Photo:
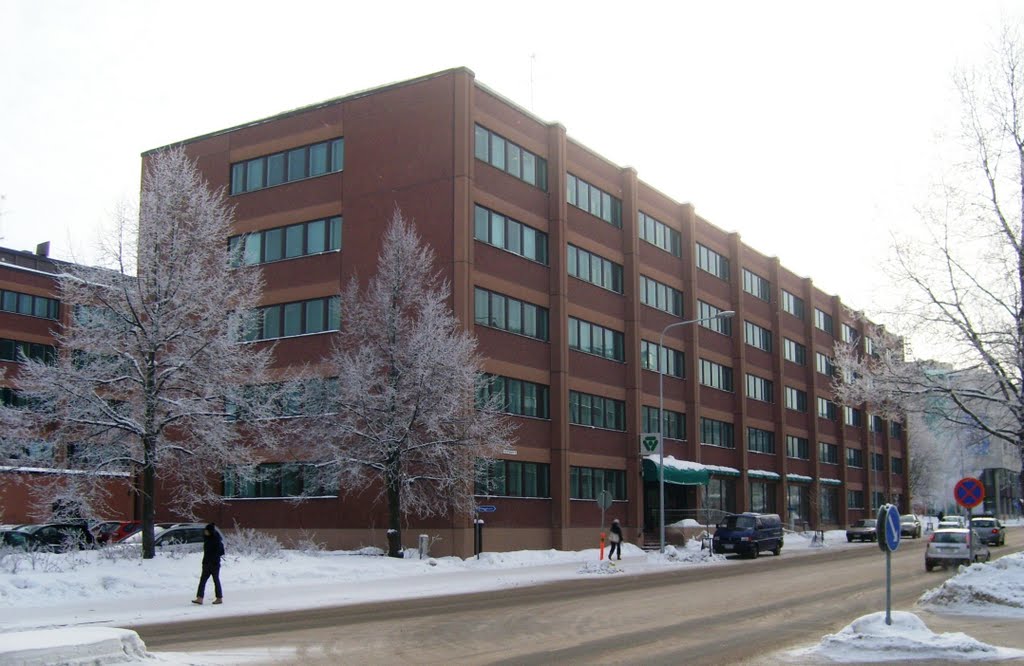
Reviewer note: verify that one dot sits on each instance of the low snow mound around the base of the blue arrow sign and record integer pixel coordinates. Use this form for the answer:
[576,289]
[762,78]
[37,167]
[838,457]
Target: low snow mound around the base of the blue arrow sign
[869,639]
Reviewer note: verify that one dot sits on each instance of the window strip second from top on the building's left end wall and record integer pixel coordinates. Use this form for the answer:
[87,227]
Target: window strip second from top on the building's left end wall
[286,242]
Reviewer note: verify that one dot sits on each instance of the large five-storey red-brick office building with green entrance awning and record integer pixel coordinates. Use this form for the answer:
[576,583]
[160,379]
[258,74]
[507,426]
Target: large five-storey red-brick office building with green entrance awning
[568,269]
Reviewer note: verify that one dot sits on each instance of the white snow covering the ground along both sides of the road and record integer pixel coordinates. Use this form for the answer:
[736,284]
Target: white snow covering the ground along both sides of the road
[62,605]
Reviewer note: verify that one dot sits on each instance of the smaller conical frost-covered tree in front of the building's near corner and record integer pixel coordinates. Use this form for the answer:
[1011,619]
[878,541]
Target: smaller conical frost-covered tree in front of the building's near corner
[403,422]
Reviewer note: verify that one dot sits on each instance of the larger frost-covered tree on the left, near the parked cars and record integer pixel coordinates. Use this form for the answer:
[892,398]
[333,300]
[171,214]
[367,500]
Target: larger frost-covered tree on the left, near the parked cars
[150,372]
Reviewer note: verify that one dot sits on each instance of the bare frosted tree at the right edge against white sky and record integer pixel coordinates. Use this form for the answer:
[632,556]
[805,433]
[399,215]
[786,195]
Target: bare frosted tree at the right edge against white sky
[965,278]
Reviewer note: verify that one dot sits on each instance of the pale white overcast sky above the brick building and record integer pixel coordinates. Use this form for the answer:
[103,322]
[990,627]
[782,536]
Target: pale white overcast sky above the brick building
[773,118]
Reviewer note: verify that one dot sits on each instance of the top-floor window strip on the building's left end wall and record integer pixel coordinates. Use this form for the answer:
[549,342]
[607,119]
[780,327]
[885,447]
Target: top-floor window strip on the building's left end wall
[305,162]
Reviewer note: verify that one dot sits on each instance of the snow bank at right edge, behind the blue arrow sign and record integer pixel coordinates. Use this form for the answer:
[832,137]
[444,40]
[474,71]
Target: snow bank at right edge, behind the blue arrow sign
[996,589]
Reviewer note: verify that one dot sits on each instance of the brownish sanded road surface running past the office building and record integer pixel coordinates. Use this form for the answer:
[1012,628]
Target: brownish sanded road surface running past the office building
[735,614]
